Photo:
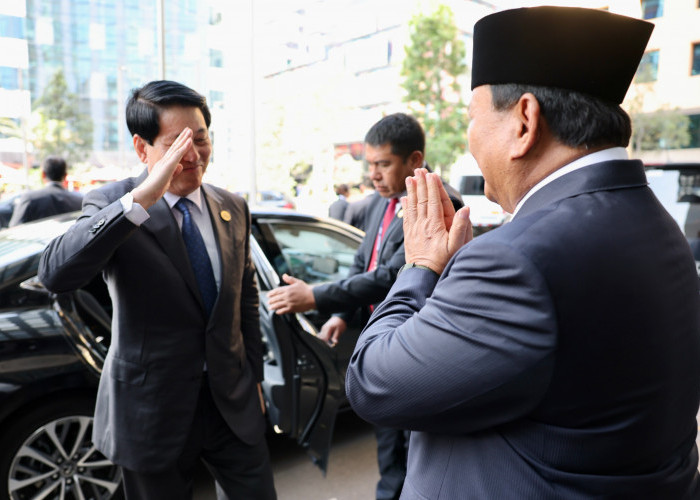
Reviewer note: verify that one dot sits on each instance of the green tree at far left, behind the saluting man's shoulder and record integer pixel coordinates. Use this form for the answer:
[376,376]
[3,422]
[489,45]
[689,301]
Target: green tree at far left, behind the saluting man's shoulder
[59,125]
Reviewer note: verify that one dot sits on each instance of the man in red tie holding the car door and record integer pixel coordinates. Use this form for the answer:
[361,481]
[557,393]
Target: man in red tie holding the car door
[394,148]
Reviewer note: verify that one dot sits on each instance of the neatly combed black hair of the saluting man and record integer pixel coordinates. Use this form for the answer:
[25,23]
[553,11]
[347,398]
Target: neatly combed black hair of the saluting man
[146,103]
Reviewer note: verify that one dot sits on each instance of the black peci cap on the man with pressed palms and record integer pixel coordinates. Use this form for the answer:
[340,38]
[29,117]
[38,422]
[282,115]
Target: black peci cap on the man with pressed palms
[590,51]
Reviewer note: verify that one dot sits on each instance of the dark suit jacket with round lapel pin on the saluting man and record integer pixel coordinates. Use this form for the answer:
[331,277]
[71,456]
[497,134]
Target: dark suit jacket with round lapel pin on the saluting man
[161,335]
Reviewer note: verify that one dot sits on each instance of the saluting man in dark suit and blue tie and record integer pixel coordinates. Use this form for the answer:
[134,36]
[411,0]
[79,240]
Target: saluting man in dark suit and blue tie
[182,377]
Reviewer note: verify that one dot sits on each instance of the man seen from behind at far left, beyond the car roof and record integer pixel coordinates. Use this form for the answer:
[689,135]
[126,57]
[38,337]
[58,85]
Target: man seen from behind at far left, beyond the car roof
[50,200]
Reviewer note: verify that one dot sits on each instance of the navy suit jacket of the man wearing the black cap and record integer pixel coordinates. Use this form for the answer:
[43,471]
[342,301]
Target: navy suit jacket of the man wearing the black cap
[557,357]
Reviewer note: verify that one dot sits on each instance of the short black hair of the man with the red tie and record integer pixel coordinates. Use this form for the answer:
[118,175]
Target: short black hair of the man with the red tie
[402,131]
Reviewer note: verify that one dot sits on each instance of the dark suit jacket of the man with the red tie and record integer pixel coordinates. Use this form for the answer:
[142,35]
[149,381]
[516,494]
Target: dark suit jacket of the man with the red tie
[361,288]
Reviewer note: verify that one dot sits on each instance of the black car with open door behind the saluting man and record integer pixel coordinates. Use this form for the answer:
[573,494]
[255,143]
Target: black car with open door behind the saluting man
[52,348]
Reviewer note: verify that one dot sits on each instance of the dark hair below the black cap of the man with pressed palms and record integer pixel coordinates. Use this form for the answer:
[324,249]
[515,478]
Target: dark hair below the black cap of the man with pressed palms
[575,119]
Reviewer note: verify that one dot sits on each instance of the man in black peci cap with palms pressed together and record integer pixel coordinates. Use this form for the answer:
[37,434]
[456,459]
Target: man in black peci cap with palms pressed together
[555,357]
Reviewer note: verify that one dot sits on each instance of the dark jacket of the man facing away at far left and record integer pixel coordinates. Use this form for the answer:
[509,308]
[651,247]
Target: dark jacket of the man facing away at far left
[49,200]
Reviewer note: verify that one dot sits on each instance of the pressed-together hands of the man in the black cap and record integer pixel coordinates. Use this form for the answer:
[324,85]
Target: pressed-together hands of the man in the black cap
[433,231]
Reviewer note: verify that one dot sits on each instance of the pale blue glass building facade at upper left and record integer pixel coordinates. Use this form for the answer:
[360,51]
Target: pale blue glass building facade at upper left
[105,48]
